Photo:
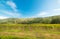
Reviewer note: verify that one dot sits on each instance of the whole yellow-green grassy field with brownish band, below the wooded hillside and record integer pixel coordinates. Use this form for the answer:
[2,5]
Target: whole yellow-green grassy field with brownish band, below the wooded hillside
[29,31]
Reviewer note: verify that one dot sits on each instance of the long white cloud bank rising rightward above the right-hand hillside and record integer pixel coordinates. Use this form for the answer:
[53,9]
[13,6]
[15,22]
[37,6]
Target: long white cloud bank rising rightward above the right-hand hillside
[52,12]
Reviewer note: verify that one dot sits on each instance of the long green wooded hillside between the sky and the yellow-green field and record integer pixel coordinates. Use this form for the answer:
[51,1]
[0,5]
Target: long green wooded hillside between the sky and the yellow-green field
[42,20]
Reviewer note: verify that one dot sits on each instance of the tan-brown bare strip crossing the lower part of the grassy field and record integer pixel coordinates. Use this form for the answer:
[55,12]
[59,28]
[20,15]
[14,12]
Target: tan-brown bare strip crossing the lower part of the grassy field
[22,34]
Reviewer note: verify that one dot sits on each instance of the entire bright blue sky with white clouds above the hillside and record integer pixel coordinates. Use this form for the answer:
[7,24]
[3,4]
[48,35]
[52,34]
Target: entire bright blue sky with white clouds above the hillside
[29,8]
